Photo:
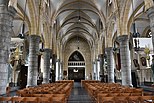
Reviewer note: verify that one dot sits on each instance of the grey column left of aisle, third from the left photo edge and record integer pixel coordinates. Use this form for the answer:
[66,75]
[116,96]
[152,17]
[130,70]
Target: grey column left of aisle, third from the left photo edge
[46,70]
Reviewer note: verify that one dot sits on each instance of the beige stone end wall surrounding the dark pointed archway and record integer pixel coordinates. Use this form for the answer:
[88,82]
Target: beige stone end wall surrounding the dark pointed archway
[72,46]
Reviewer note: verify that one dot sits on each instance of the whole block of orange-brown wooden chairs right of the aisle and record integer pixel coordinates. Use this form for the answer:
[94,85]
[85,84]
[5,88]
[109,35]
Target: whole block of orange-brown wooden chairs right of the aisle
[103,91]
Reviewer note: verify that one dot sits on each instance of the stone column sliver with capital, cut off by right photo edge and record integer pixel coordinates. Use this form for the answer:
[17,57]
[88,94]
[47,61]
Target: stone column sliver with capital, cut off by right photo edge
[150,13]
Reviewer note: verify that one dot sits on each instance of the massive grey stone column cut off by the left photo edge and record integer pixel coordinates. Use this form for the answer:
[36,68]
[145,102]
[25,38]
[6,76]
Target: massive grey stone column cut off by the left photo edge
[6,19]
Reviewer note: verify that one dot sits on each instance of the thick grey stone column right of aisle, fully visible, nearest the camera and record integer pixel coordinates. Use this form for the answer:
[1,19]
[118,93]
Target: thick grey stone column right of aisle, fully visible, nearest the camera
[125,60]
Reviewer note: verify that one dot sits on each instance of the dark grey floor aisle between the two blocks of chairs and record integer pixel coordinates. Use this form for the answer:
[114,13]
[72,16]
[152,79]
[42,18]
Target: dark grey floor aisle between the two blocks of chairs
[79,95]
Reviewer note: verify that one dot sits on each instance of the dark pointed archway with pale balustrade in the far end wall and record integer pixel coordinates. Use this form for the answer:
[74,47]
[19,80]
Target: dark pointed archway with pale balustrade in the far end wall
[76,67]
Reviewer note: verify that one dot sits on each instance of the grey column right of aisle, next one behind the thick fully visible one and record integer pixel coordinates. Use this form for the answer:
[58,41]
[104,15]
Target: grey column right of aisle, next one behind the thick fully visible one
[110,64]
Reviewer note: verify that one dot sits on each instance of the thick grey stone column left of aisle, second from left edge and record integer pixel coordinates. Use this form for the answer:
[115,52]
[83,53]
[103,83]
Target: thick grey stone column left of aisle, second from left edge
[33,60]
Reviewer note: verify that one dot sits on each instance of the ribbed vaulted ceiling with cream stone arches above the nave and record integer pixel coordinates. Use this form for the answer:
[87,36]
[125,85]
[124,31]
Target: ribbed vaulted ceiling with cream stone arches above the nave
[66,19]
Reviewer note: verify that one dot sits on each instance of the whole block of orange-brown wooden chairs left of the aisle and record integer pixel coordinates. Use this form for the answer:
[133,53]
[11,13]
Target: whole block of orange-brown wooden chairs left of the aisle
[45,93]
